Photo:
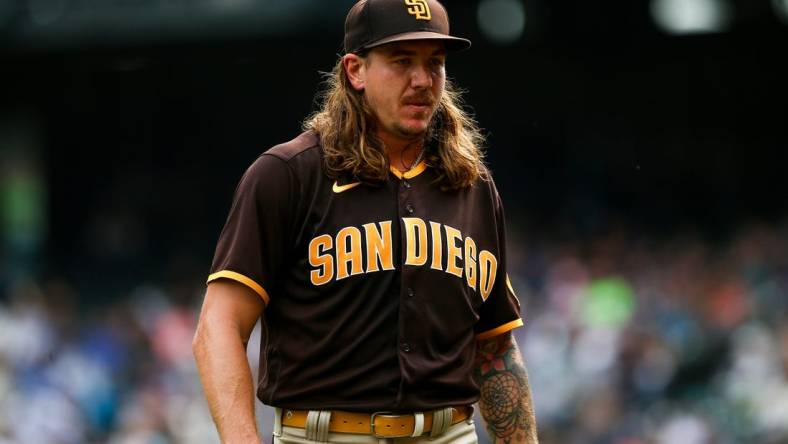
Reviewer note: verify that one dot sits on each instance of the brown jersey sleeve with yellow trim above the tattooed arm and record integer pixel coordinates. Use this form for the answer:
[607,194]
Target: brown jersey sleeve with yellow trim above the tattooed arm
[500,312]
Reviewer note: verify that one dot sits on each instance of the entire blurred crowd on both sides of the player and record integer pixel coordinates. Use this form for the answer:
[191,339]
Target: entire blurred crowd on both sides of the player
[628,339]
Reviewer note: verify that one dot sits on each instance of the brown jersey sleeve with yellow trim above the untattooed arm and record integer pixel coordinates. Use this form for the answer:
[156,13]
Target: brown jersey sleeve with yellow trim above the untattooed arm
[252,244]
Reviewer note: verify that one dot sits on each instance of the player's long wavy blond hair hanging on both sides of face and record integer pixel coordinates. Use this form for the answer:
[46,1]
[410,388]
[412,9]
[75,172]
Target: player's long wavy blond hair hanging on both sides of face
[346,128]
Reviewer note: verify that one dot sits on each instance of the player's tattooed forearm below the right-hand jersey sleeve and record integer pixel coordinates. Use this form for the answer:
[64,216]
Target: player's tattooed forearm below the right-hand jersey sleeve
[505,402]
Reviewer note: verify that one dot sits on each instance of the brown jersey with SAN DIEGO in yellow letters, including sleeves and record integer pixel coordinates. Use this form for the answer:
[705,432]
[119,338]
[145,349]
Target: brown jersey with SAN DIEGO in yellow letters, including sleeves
[375,295]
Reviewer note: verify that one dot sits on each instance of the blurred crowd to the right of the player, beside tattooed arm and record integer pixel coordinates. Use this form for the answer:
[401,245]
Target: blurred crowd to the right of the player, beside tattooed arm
[679,340]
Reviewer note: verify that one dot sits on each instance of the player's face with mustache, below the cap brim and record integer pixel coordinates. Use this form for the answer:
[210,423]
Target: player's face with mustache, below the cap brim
[403,83]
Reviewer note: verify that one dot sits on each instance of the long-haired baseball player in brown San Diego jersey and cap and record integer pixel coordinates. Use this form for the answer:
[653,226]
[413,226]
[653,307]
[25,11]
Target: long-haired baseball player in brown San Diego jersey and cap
[373,246]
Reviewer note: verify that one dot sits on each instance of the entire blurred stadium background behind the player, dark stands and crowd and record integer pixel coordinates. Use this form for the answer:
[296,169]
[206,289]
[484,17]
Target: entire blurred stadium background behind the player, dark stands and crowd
[637,146]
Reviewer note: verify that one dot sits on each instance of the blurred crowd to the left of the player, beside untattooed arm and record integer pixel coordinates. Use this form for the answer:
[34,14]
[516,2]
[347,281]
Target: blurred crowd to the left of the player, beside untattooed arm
[118,373]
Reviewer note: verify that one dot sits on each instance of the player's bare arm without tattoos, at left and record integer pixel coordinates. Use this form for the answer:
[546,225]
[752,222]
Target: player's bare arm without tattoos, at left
[229,313]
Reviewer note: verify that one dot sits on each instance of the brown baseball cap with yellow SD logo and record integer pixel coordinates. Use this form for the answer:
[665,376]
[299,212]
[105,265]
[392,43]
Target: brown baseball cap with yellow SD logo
[372,23]
